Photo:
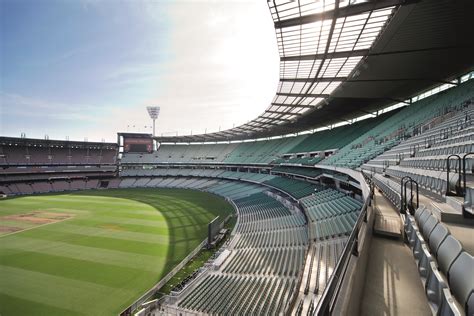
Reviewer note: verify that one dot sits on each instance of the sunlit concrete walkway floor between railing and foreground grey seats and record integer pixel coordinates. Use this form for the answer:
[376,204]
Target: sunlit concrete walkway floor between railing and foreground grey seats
[392,285]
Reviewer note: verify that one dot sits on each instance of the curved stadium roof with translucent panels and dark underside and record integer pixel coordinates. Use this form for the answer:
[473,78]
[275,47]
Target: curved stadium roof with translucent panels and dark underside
[342,59]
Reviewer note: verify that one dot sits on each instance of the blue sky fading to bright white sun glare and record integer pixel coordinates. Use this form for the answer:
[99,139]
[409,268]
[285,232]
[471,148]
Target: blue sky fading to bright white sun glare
[88,68]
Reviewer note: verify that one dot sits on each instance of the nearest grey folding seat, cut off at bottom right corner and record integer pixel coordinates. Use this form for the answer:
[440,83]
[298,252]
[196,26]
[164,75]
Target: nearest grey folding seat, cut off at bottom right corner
[461,281]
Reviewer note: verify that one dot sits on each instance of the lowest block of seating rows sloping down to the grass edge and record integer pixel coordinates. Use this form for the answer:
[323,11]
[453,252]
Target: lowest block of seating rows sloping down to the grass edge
[267,254]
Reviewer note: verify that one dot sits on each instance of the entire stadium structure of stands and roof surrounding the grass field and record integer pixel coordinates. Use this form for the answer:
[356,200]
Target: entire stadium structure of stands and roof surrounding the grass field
[314,209]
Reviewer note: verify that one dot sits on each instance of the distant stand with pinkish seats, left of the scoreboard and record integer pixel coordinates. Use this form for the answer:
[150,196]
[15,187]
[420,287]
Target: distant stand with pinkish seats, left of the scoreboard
[41,166]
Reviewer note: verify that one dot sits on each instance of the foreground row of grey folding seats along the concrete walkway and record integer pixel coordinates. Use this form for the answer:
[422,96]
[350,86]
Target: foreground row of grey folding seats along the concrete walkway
[445,268]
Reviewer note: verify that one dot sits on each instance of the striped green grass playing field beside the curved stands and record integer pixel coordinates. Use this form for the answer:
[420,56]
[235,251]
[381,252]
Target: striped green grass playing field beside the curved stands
[117,245]
